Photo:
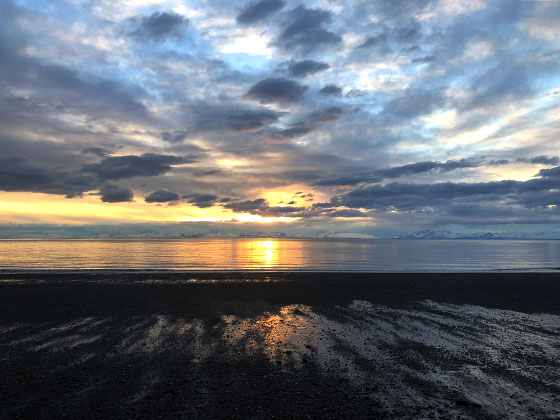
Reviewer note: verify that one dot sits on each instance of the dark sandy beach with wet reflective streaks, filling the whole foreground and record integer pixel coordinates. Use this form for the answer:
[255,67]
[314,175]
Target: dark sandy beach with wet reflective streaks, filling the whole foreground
[286,346]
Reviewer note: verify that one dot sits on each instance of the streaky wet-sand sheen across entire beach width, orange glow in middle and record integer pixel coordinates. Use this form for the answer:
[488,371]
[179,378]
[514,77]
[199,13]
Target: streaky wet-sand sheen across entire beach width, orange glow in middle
[430,360]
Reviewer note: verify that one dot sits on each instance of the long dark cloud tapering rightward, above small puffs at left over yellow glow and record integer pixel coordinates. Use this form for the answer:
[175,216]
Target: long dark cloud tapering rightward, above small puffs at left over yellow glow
[119,167]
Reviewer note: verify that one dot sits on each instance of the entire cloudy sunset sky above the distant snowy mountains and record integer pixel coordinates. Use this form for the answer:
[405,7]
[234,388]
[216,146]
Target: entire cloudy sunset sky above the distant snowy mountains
[367,116]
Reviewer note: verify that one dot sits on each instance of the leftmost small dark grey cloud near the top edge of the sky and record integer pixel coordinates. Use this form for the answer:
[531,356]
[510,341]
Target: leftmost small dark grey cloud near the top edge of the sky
[160,25]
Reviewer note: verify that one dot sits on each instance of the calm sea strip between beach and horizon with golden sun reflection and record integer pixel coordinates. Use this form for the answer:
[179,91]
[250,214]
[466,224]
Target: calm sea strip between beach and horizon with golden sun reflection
[280,254]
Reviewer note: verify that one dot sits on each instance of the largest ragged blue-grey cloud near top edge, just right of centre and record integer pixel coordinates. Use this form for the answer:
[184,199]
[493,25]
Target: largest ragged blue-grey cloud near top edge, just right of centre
[304,30]
